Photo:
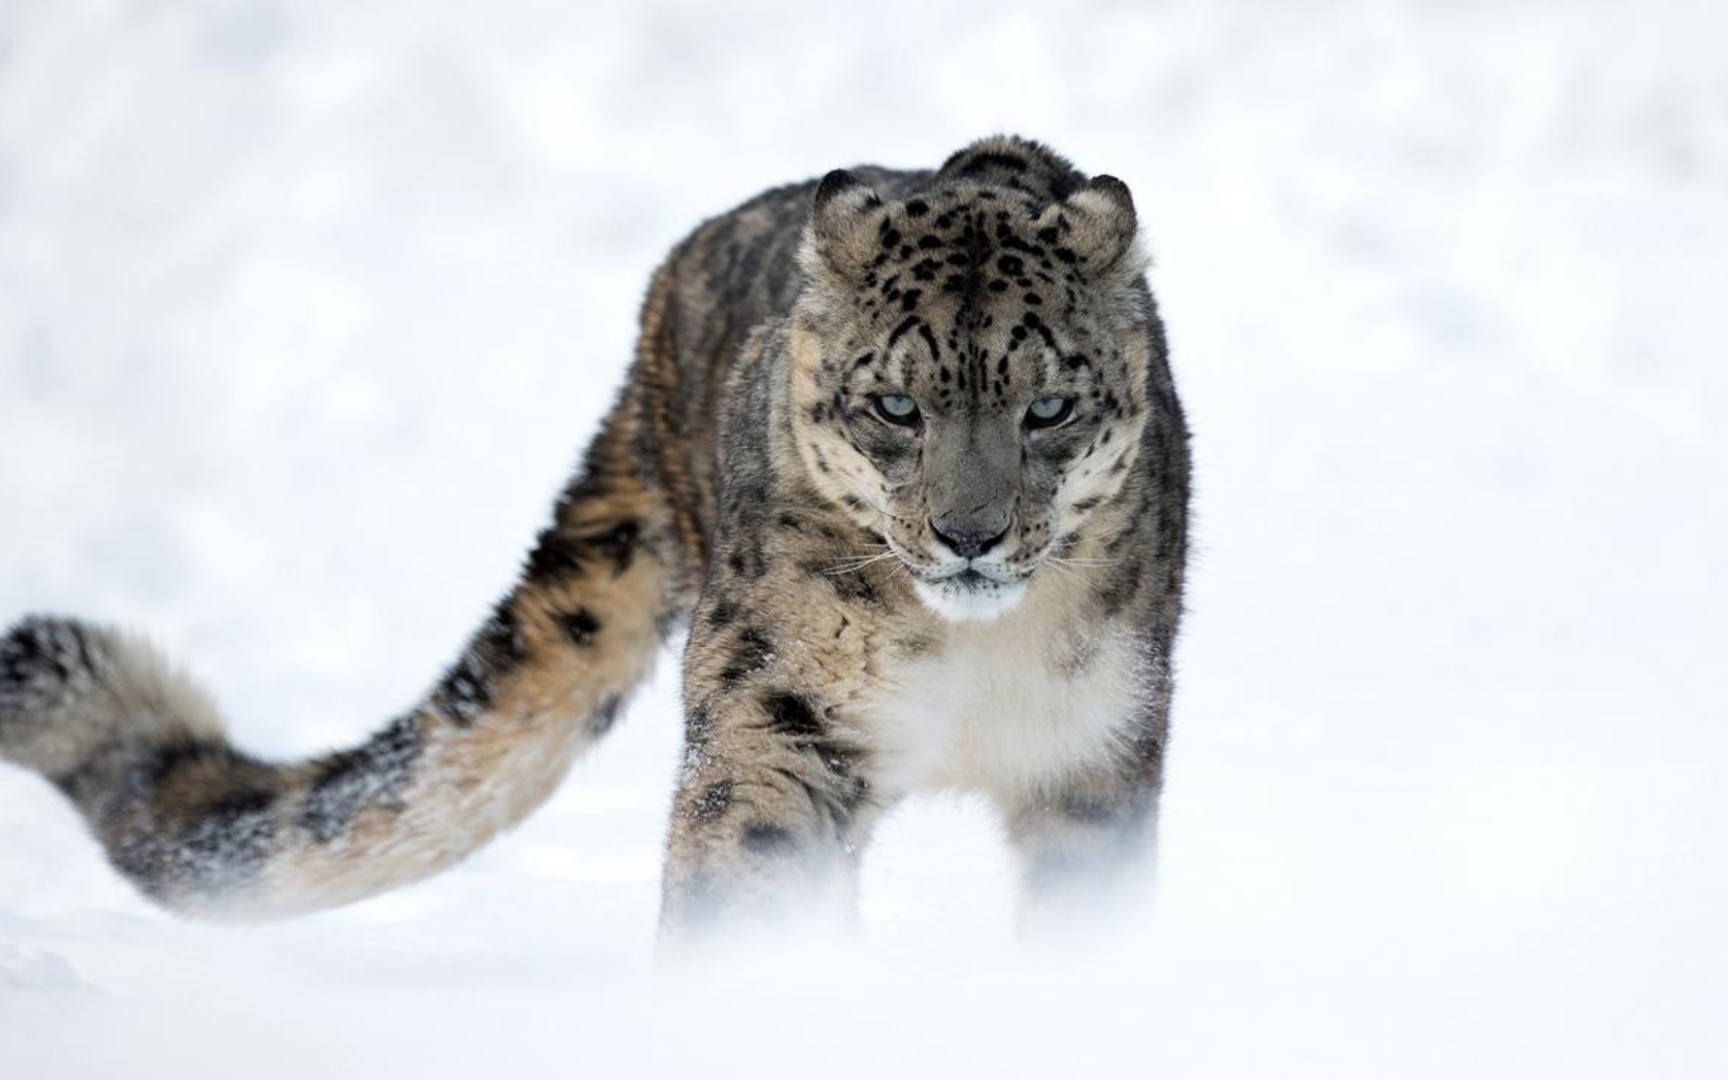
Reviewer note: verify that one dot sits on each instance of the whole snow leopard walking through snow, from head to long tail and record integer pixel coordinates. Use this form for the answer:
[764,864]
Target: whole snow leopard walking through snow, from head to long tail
[903,462]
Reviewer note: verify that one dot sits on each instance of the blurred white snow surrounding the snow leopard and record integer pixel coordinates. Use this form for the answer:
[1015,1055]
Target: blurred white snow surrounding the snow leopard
[308,307]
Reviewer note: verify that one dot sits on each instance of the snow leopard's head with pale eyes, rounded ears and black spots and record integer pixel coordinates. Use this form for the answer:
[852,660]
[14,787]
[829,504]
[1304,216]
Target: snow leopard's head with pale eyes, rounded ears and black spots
[970,376]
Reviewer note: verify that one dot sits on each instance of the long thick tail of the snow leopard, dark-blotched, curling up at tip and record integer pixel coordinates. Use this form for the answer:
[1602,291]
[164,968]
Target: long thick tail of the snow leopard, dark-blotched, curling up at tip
[212,832]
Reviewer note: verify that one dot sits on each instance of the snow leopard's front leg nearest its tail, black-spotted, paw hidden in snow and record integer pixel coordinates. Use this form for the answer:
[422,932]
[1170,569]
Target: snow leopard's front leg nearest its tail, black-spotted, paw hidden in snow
[773,801]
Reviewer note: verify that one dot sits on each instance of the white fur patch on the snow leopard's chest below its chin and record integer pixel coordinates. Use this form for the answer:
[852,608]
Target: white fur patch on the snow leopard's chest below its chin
[1007,708]
